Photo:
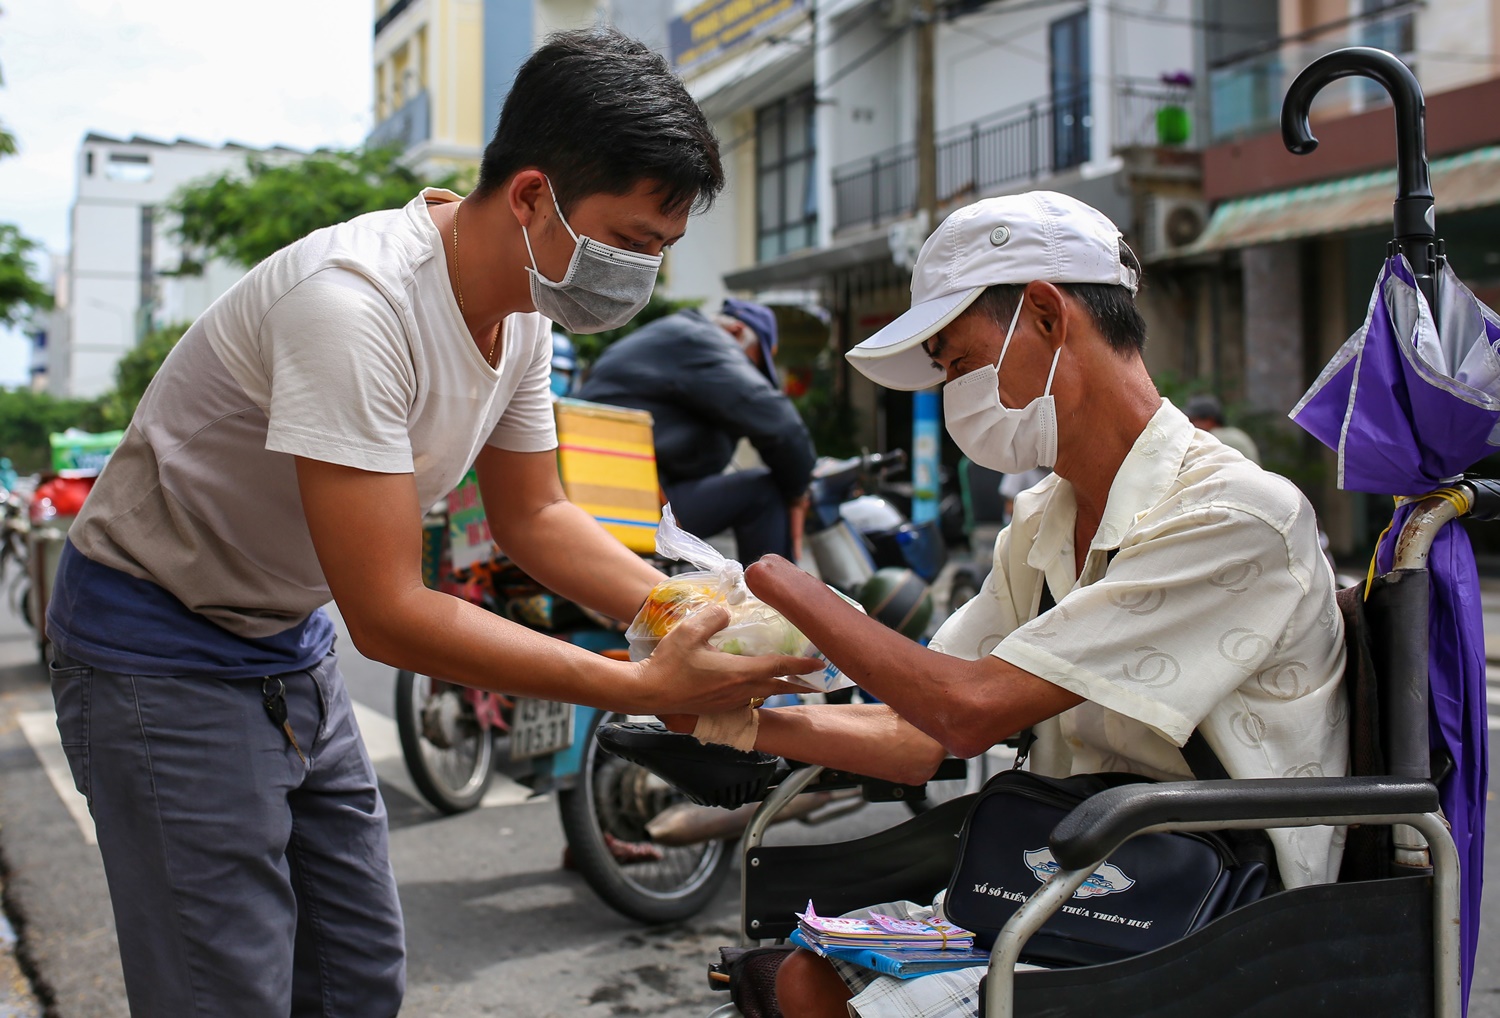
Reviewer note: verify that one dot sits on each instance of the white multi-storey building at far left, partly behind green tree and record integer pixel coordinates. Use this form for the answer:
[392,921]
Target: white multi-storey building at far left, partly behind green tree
[118,281]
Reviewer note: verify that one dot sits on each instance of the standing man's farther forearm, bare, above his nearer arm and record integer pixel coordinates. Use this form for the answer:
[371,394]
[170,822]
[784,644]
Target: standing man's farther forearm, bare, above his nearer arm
[566,551]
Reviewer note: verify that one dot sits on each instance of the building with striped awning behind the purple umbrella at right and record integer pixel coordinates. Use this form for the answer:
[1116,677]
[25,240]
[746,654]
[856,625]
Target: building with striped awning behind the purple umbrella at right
[1283,274]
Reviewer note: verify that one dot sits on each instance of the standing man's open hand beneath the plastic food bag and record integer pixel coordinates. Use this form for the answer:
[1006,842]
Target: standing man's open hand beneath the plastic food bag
[685,675]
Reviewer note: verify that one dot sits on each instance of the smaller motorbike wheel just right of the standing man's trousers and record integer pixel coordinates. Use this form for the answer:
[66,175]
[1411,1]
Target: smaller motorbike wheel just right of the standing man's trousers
[449,753]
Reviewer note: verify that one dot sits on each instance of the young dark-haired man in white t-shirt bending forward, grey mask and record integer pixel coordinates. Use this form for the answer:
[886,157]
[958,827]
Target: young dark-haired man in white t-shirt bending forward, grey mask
[281,460]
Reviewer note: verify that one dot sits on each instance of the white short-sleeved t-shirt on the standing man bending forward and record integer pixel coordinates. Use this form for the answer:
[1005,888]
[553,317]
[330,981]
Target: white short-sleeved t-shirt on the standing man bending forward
[349,349]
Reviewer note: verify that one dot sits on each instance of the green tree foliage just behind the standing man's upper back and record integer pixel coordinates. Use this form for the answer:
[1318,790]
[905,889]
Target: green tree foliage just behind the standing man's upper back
[245,217]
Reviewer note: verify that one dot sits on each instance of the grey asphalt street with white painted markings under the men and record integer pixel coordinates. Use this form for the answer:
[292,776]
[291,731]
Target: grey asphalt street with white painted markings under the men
[496,926]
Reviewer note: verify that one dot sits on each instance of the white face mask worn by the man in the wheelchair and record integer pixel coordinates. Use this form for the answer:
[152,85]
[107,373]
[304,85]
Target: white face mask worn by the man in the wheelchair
[994,436]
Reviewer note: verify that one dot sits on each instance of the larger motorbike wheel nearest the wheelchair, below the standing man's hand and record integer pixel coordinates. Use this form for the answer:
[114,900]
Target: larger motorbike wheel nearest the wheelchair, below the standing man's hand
[605,819]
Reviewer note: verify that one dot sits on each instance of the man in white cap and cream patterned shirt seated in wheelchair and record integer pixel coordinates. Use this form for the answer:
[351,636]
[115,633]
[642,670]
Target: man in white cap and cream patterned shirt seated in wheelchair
[1157,585]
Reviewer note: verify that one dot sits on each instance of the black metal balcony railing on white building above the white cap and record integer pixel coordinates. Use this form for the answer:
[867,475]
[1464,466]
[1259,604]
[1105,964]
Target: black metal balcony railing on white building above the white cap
[1024,143]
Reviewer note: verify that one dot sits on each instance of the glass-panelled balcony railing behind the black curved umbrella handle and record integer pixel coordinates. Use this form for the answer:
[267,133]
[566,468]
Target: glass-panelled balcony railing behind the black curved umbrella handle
[1246,94]
